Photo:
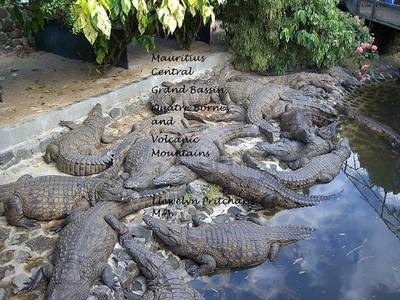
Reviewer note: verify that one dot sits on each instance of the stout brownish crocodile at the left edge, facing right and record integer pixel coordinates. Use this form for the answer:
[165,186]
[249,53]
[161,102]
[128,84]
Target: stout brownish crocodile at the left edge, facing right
[51,197]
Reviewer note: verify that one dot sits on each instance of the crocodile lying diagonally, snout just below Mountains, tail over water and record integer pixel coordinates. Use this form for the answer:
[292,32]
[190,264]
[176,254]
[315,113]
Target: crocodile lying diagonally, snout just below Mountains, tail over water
[253,185]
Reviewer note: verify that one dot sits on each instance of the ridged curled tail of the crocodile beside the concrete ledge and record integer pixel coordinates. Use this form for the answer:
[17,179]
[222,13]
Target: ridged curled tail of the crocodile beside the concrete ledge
[84,165]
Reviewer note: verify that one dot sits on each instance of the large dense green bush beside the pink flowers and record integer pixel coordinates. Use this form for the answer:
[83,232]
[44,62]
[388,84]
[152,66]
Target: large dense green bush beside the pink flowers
[284,35]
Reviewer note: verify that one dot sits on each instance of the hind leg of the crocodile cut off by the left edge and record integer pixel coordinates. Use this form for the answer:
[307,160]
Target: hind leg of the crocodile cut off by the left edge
[15,214]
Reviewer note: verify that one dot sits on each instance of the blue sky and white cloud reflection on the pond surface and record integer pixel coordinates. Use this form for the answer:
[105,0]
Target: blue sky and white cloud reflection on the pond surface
[352,255]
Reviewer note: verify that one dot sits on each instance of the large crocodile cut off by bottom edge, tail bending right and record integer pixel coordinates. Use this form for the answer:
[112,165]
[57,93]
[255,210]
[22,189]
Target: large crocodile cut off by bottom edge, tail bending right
[85,243]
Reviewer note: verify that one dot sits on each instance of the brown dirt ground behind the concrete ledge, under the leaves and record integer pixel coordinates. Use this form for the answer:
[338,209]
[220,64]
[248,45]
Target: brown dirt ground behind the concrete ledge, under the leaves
[39,81]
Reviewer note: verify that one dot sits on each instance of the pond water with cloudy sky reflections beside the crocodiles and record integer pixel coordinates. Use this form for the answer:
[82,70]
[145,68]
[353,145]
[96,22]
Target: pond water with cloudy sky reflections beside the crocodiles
[355,252]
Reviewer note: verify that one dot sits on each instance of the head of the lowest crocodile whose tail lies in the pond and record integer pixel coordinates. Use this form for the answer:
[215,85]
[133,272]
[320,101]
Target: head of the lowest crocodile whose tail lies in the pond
[169,233]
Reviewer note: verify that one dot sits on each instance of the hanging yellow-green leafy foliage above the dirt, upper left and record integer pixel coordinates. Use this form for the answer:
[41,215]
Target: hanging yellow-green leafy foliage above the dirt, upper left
[110,25]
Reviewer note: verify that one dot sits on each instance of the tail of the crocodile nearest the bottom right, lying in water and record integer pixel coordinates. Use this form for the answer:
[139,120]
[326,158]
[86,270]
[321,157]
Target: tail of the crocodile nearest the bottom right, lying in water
[288,233]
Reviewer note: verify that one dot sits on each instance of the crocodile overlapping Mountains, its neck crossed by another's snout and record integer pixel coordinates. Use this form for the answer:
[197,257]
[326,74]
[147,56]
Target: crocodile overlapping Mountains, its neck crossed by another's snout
[209,147]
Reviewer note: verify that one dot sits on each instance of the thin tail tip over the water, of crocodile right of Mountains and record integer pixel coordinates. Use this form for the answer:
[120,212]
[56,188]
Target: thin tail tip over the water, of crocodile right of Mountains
[292,198]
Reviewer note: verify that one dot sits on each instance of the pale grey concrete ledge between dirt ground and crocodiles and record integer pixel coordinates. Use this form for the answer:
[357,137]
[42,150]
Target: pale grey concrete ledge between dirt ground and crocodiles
[32,136]
